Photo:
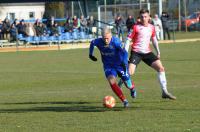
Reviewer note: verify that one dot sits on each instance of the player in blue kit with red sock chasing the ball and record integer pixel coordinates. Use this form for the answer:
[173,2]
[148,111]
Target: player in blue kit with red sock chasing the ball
[115,62]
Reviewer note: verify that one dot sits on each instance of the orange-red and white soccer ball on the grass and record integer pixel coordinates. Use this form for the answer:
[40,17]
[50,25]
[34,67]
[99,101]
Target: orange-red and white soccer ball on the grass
[109,101]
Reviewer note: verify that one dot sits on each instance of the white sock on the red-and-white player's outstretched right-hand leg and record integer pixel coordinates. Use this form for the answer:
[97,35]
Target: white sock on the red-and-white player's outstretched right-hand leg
[162,80]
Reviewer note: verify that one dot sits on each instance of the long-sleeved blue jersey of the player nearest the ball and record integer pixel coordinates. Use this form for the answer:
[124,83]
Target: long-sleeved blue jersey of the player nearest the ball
[113,54]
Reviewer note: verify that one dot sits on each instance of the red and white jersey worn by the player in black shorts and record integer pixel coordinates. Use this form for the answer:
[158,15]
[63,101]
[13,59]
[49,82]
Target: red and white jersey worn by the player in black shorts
[141,36]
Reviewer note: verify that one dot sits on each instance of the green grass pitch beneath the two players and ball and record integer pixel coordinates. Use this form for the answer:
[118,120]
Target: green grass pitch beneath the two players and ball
[62,91]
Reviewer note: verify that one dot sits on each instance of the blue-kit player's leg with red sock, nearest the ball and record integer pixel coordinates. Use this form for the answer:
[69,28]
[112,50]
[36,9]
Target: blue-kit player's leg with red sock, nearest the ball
[111,77]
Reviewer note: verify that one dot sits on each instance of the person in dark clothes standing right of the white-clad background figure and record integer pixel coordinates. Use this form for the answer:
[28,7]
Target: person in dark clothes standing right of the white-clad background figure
[165,24]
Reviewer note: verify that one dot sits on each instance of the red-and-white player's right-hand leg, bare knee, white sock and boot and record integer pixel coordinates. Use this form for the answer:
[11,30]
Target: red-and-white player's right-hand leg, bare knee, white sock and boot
[157,65]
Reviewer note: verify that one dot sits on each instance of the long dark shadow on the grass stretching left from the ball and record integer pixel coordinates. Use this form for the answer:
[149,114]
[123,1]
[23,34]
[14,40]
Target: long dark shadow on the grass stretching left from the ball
[70,107]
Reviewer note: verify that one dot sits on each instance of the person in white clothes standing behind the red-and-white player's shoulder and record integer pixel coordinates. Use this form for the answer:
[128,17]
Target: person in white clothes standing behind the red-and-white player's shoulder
[158,26]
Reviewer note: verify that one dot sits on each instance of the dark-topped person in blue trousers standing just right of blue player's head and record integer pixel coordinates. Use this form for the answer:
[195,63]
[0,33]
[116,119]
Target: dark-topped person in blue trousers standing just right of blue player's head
[119,22]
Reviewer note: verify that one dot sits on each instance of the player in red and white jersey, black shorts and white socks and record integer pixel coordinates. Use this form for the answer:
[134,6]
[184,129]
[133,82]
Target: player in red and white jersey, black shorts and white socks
[141,35]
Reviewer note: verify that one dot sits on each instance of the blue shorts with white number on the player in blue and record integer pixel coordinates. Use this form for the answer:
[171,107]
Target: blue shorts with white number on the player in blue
[117,71]
